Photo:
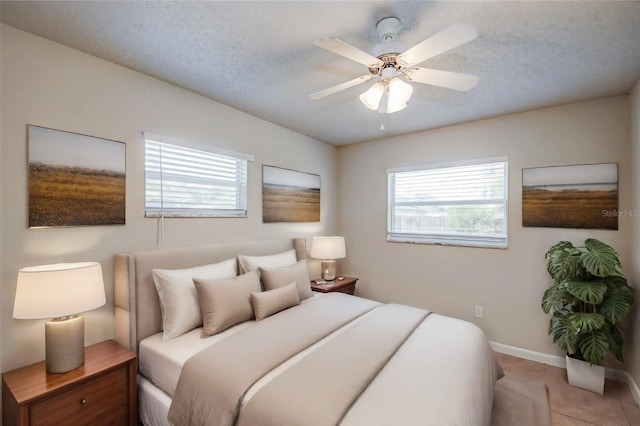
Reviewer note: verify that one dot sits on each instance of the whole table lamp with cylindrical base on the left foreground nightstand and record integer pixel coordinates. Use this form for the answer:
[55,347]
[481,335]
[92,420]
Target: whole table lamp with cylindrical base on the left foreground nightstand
[60,291]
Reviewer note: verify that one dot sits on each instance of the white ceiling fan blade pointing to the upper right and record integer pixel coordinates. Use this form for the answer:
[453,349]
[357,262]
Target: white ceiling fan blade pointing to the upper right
[452,36]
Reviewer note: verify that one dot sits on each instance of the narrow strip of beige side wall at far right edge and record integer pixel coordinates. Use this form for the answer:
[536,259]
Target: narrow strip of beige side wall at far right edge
[632,355]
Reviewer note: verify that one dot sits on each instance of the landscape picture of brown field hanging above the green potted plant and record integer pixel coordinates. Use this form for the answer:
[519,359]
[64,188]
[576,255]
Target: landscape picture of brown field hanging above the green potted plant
[581,196]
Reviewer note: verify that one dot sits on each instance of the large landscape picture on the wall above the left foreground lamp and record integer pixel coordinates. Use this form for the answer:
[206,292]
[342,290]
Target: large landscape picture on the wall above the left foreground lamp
[75,180]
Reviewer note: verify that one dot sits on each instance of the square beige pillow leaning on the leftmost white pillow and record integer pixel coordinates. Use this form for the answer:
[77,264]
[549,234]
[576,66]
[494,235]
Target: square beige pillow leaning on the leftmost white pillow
[226,302]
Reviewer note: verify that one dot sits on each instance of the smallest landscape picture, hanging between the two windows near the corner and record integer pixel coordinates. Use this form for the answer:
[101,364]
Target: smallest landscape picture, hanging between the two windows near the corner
[289,196]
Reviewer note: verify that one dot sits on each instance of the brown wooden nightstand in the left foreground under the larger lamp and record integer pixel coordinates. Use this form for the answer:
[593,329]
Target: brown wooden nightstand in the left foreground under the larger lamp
[102,391]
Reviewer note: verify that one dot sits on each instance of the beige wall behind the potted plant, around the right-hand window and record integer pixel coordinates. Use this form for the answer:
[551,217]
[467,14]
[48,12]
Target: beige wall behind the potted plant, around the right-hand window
[508,284]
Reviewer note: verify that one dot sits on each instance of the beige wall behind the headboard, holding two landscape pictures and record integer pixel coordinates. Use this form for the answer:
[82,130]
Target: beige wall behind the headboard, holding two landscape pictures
[49,85]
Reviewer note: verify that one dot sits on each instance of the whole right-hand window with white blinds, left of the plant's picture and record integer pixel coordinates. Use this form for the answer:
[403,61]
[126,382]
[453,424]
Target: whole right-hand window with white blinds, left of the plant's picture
[463,203]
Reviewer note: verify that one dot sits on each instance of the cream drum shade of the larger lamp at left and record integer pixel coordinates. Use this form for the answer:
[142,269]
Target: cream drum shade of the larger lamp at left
[58,290]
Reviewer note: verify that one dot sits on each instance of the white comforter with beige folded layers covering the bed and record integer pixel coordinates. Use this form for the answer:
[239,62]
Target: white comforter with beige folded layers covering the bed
[357,362]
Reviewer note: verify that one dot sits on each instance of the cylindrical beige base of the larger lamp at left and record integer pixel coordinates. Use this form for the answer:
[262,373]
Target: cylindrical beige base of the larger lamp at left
[64,343]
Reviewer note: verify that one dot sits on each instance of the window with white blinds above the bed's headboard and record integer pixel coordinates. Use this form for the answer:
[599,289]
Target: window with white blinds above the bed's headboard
[185,180]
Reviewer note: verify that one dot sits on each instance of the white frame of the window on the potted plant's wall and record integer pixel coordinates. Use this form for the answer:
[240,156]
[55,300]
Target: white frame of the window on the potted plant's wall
[464,240]
